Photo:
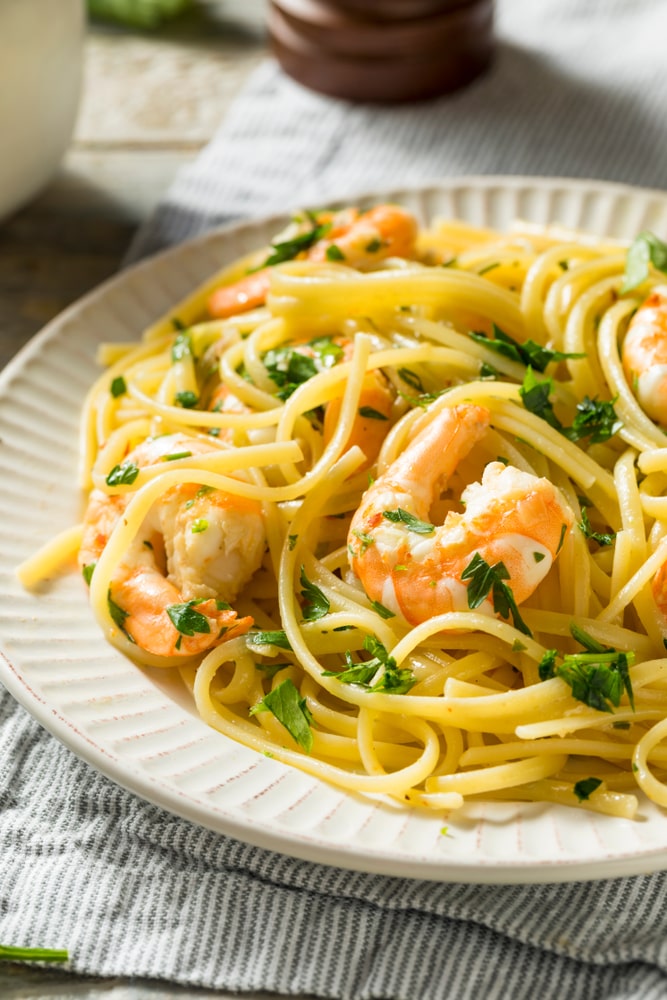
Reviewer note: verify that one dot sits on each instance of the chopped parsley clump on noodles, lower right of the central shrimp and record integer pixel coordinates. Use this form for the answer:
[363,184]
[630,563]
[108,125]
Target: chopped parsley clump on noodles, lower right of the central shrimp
[597,676]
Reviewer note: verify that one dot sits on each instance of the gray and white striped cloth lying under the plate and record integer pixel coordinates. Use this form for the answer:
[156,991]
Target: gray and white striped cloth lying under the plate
[578,88]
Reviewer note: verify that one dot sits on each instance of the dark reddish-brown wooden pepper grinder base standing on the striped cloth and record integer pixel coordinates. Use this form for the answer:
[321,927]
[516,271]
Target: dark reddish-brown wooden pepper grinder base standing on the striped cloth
[384,51]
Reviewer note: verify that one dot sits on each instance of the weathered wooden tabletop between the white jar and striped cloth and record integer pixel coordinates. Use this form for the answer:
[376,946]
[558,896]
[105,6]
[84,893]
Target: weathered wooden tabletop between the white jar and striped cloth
[150,102]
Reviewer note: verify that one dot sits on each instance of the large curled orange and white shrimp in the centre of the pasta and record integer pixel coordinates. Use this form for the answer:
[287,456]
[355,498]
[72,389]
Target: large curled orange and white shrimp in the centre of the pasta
[510,517]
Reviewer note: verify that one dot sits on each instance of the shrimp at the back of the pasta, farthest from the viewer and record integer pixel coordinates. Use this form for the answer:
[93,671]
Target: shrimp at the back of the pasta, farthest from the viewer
[358,239]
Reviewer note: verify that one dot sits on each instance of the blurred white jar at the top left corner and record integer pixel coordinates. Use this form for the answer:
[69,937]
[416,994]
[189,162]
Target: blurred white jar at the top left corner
[41,43]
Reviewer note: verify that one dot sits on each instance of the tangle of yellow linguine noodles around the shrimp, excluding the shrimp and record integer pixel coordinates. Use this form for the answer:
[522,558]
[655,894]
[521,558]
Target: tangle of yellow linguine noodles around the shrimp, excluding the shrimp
[476,719]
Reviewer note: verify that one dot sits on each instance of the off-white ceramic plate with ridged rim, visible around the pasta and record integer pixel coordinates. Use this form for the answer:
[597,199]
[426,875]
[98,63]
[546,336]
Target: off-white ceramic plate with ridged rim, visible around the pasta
[137,726]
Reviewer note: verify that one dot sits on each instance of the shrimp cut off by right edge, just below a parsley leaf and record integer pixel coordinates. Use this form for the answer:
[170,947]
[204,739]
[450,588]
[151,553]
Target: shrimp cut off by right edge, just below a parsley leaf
[645,355]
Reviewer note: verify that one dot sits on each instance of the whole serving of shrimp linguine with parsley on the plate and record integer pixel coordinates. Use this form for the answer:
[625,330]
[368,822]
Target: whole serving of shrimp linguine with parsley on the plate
[259,519]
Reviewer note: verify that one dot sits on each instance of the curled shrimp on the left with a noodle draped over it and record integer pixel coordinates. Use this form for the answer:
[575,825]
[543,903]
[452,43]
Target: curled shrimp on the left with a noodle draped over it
[194,552]
